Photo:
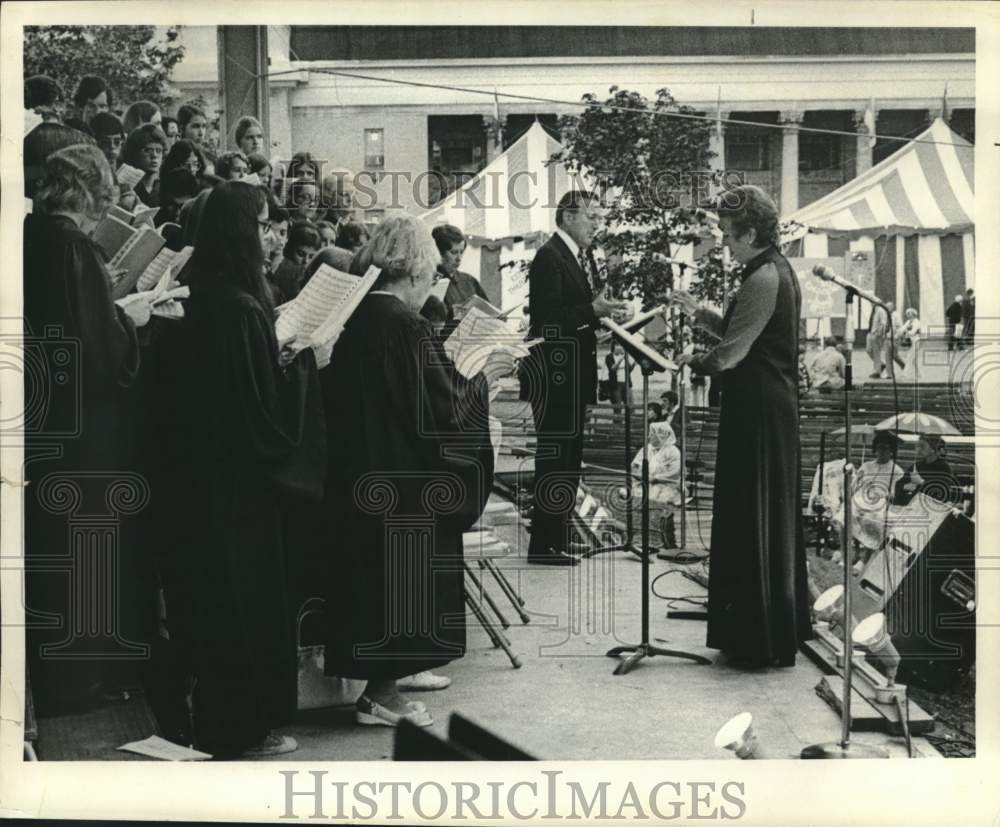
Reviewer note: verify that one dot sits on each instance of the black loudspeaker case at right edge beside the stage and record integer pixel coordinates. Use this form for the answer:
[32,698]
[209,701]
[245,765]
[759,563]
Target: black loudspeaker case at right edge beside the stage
[931,612]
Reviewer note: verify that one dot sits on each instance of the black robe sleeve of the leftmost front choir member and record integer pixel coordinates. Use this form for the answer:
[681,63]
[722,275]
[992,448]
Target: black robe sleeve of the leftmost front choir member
[110,343]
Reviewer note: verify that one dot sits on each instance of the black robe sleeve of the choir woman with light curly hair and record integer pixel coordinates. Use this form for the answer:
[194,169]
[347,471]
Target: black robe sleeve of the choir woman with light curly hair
[451,415]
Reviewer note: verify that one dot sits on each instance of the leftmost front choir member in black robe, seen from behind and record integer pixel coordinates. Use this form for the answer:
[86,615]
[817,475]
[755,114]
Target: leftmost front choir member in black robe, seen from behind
[81,367]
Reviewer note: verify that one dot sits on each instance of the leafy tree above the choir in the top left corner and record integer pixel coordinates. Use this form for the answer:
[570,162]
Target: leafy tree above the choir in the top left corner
[136,64]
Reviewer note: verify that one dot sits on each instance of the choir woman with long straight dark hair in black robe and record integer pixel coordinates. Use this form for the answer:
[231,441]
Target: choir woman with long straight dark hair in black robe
[256,436]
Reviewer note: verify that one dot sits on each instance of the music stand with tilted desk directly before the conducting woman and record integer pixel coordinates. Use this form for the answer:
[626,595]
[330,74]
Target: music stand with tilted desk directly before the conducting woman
[649,362]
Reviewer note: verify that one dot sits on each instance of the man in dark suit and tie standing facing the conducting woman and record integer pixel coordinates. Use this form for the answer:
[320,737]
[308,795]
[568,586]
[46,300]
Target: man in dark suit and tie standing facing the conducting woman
[566,307]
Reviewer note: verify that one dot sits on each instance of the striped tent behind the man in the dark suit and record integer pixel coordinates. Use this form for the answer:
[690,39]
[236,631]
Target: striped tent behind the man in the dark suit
[506,212]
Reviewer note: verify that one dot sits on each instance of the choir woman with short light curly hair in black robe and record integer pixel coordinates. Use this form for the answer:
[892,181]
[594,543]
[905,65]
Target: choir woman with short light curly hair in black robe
[410,468]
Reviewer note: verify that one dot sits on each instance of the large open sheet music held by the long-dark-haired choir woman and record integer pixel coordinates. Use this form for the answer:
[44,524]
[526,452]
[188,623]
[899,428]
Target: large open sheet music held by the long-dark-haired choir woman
[327,300]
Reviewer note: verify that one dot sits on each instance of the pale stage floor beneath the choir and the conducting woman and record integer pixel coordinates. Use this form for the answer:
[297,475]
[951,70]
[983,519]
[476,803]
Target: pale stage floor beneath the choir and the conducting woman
[565,704]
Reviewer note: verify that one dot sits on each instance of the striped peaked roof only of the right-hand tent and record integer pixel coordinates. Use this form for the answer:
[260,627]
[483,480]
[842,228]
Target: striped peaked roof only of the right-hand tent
[923,188]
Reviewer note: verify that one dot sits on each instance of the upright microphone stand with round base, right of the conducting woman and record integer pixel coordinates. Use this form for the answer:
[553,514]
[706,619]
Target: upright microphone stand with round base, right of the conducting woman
[844,748]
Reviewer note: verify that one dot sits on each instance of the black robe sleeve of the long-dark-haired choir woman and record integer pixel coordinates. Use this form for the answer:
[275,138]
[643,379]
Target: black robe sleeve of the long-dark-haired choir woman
[276,417]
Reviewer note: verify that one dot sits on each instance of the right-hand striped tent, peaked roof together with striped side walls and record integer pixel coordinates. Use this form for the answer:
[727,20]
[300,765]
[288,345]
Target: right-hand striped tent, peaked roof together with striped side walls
[916,210]
